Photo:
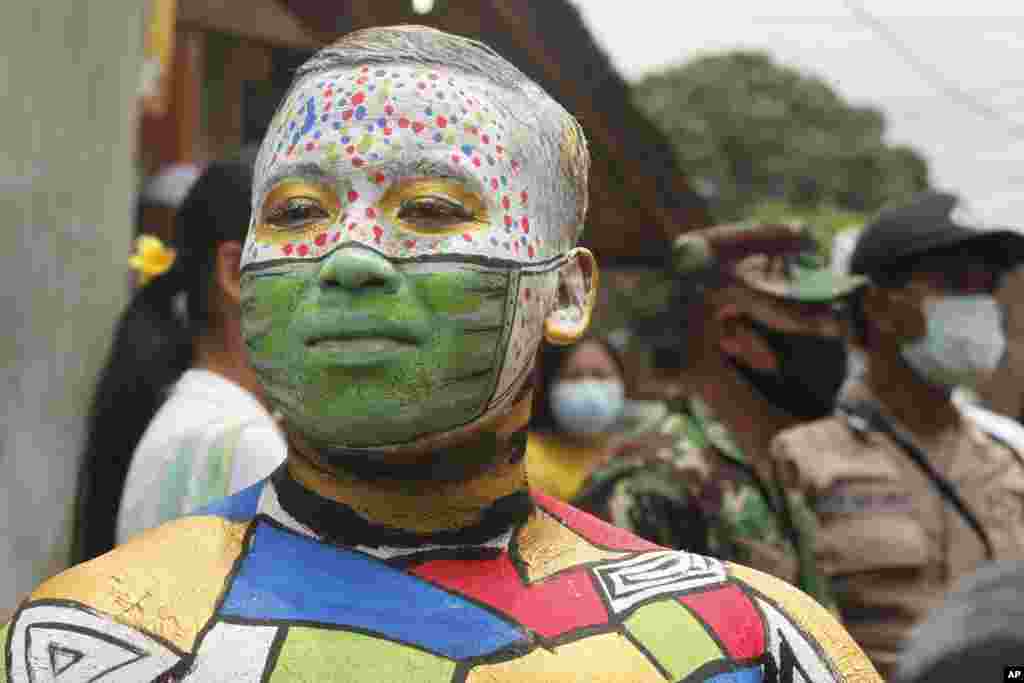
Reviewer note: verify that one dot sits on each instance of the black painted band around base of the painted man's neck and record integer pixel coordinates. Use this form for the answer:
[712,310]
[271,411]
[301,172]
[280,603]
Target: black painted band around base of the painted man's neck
[338,524]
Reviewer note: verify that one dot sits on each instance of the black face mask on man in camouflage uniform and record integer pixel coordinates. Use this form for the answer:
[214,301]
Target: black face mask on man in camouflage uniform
[812,370]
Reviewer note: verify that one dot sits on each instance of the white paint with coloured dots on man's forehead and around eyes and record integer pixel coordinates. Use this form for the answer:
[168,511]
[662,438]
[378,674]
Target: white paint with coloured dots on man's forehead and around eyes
[371,127]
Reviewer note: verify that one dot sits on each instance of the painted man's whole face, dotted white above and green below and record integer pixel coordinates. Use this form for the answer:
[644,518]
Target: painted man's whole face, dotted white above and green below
[403,257]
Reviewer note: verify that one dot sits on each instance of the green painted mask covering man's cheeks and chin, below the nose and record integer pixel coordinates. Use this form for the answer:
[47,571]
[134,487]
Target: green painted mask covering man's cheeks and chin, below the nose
[369,394]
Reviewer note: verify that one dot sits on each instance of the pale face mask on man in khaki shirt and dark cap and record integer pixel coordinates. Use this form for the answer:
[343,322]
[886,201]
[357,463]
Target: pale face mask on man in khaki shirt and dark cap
[965,341]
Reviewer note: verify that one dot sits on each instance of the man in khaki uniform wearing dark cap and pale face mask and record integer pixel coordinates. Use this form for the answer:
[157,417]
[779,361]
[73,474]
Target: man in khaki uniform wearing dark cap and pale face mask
[911,493]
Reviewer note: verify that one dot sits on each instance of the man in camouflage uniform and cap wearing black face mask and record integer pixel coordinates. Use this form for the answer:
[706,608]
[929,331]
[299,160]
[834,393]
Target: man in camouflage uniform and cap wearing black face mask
[757,341]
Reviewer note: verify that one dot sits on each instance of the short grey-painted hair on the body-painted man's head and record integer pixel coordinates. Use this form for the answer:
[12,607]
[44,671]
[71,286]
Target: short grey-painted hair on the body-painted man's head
[559,138]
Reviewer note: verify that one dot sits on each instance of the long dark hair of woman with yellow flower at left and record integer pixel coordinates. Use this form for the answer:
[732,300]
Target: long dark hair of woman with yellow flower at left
[154,345]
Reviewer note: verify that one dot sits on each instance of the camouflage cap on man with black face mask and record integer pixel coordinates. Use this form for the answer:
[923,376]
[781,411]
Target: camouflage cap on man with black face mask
[778,260]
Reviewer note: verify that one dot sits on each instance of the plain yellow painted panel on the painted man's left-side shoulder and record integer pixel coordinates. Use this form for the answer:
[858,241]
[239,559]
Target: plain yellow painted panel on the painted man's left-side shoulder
[164,582]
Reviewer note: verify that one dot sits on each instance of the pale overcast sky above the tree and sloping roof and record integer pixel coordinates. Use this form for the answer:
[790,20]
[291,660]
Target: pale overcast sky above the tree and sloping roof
[978,47]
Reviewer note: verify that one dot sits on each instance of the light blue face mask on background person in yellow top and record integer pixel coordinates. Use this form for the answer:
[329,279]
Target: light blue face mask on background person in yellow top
[587,407]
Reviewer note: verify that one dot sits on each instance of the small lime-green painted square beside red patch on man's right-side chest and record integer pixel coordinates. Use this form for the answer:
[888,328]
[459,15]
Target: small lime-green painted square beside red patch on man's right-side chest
[674,637]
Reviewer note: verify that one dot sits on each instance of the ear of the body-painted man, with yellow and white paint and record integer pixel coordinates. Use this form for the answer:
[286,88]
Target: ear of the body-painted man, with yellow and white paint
[576,295]
